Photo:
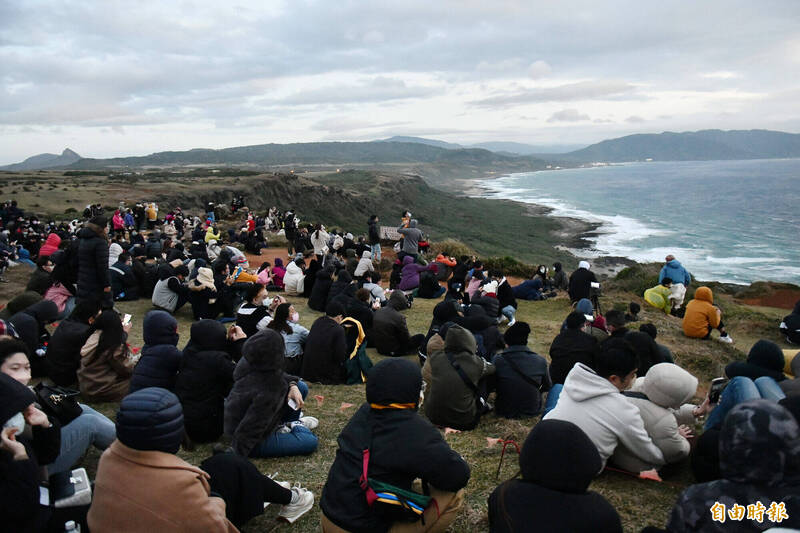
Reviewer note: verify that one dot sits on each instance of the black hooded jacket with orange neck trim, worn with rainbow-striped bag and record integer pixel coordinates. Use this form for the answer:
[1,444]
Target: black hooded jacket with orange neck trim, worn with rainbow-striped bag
[403,446]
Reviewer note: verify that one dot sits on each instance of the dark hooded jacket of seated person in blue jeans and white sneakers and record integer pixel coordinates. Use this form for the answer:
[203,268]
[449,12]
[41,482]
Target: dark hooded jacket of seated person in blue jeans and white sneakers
[254,406]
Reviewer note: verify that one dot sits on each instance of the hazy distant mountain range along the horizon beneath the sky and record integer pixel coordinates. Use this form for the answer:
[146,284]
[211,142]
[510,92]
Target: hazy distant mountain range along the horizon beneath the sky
[443,159]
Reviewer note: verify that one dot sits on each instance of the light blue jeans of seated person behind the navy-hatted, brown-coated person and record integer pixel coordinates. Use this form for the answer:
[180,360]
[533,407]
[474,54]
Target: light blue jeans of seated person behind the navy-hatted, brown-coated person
[89,428]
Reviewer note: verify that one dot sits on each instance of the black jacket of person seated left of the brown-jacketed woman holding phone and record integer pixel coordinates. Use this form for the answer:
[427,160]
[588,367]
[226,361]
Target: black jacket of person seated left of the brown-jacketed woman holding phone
[63,356]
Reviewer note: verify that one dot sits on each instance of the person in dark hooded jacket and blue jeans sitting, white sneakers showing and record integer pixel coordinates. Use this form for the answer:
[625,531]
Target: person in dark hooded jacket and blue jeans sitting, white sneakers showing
[263,412]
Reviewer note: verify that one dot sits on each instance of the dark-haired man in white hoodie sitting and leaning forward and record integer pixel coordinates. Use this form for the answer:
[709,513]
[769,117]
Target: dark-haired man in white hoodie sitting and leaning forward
[591,400]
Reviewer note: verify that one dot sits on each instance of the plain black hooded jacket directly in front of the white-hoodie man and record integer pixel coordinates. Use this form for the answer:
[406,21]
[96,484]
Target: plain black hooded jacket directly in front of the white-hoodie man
[558,462]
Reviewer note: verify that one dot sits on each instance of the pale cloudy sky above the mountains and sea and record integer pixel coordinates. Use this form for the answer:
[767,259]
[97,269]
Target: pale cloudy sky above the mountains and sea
[114,78]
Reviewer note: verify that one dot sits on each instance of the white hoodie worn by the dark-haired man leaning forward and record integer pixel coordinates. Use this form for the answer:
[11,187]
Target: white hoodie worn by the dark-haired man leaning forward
[597,407]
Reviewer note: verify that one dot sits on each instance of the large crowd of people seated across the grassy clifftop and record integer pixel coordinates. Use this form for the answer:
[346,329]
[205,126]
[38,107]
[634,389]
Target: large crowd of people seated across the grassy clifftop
[242,378]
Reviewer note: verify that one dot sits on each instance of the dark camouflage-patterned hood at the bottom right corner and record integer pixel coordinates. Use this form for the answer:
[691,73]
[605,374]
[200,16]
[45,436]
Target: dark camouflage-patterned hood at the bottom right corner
[759,443]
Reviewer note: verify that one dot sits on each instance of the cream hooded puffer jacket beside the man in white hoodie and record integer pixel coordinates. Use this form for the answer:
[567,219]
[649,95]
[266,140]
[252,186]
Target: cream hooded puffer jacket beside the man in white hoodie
[667,388]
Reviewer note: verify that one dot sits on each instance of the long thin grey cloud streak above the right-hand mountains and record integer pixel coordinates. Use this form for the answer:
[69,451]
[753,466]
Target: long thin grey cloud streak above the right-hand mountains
[585,90]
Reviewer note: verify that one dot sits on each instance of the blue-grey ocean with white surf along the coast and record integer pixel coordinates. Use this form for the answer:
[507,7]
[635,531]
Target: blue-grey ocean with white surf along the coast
[730,221]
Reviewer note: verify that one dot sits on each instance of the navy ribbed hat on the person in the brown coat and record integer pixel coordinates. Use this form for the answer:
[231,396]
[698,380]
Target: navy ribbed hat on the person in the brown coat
[151,419]
